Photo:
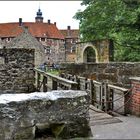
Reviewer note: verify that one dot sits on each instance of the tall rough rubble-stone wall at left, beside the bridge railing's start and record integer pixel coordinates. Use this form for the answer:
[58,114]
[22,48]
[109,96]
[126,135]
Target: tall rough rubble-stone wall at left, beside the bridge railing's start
[16,70]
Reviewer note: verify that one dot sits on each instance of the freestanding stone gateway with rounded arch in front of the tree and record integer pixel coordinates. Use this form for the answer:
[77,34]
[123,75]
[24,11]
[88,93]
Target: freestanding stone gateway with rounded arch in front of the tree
[97,51]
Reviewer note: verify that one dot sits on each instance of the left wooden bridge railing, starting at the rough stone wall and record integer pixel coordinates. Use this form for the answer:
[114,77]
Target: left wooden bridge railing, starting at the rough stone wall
[45,81]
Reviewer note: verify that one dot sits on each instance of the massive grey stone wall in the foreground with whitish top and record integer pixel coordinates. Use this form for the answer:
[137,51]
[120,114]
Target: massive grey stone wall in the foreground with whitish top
[57,114]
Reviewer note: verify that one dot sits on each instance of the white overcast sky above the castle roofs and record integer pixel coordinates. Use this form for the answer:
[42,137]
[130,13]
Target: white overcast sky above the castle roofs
[60,12]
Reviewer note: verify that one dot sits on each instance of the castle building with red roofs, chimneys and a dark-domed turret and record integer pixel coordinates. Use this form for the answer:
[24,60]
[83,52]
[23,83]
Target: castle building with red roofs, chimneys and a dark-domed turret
[59,45]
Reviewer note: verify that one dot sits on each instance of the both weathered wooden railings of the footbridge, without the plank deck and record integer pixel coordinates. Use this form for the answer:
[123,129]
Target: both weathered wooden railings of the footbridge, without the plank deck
[103,95]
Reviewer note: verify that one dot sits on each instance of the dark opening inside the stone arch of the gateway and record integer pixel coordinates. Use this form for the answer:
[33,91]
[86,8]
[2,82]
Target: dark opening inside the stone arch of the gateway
[89,54]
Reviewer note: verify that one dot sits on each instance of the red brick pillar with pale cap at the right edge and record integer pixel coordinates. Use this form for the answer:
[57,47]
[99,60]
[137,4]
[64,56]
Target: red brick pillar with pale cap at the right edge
[135,101]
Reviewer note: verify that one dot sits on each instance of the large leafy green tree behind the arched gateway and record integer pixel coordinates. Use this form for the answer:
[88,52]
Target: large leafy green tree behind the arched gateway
[117,20]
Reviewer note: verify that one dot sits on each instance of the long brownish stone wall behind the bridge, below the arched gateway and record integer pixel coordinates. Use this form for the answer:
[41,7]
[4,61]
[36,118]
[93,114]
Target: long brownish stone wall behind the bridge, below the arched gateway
[113,72]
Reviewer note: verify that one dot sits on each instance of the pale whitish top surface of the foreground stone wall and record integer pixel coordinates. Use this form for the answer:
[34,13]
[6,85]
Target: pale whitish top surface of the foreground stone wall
[52,95]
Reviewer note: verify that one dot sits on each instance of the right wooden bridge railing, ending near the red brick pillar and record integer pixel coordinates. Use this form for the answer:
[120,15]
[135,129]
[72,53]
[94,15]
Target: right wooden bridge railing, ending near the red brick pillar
[103,95]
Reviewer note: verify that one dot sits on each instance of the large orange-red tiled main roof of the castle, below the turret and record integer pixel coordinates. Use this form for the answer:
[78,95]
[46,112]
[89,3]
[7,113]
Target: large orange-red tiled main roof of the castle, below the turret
[36,29]
